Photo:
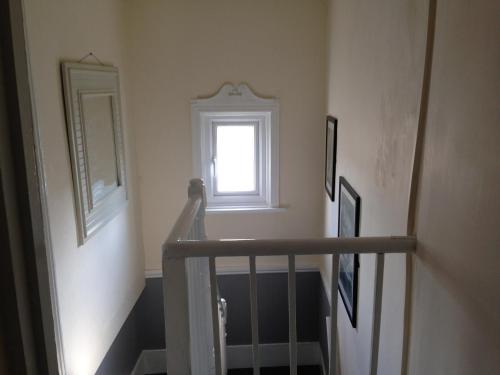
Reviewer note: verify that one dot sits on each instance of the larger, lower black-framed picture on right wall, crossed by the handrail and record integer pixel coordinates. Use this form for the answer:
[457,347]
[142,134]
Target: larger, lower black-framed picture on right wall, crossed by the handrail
[348,221]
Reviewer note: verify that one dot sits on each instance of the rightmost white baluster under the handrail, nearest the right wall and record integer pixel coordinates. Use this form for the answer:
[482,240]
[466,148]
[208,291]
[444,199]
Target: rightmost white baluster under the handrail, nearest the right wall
[377,312]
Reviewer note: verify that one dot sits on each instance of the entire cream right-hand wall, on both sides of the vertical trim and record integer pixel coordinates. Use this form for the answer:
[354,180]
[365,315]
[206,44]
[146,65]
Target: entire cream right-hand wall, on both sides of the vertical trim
[375,70]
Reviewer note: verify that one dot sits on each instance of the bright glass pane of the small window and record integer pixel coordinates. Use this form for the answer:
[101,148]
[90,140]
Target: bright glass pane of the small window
[236,164]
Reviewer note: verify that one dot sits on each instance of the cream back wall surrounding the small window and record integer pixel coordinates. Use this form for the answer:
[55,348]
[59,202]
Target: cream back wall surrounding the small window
[182,49]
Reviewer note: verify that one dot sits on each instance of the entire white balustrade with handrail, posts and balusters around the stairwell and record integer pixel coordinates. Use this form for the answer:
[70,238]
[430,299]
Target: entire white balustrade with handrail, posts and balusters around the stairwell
[190,287]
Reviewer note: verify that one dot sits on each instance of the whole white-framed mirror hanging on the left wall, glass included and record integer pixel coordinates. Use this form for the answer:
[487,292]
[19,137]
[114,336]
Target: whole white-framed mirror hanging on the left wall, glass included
[93,118]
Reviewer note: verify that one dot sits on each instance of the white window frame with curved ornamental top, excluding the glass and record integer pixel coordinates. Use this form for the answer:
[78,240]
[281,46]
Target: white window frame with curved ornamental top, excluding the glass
[233,105]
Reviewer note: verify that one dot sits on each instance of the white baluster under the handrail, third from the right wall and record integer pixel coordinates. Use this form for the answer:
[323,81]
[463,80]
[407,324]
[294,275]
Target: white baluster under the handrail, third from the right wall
[292,314]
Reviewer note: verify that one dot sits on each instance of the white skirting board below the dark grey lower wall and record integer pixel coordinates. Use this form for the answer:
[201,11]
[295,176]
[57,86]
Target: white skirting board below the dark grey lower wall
[239,356]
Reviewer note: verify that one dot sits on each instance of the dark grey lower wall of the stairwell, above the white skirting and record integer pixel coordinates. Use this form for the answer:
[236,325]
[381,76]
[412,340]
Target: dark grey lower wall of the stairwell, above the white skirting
[144,328]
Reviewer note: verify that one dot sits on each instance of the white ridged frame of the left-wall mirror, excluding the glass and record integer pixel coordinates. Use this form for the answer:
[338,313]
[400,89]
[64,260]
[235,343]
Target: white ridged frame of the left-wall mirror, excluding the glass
[81,80]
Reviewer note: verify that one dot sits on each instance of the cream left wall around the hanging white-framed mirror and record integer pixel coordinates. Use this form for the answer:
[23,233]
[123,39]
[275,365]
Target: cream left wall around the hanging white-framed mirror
[98,283]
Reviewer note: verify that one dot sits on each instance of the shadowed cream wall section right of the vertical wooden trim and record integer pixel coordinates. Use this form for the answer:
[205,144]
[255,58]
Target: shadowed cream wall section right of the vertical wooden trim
[456,297]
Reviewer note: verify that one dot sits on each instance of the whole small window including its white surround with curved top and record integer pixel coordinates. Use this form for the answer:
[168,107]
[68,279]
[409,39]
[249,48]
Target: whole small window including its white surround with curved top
[235,149]
